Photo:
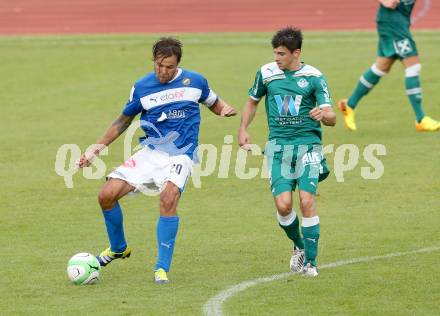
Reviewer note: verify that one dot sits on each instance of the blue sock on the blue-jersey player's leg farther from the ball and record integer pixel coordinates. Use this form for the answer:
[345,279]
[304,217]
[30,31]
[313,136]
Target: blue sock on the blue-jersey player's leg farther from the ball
[166,235]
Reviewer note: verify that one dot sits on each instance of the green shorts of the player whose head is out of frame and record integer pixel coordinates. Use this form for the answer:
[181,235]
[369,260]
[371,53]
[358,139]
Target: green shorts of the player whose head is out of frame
[395,41]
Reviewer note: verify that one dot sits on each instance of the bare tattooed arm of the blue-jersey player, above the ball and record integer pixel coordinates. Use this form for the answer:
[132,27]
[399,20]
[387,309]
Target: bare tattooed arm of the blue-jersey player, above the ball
[114,131]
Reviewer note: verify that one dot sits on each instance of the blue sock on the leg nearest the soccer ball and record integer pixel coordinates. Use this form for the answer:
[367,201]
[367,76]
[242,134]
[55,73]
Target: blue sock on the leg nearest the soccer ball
[115,228]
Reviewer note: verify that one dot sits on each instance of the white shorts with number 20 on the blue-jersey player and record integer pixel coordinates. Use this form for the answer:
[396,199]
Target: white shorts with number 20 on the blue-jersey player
[148,170]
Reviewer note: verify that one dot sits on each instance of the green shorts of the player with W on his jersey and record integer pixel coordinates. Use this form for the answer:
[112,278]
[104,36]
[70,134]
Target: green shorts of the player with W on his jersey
[297,165]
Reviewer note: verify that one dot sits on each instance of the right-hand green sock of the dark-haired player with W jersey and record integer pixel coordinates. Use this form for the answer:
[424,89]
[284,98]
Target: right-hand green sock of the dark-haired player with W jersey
[310,230]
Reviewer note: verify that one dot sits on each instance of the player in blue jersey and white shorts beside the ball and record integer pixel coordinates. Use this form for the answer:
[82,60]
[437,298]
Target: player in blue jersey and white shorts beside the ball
[168,101]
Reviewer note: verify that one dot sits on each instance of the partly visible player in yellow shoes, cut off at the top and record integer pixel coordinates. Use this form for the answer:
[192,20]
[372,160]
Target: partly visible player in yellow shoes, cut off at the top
[395,42]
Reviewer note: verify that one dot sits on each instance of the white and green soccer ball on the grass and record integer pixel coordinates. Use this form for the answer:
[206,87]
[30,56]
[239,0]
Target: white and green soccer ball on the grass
[83,268]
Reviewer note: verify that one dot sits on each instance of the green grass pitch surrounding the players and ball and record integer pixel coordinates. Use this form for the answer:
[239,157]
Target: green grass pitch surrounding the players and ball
[66,90]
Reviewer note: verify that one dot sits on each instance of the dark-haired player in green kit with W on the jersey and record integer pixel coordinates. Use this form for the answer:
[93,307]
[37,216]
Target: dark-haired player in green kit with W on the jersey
[297,101]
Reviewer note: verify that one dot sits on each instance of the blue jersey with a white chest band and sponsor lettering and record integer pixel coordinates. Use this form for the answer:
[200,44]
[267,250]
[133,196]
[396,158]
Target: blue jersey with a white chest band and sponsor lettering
[170,113]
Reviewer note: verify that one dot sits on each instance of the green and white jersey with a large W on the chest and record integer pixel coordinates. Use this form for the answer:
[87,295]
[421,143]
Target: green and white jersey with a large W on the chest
[290,95]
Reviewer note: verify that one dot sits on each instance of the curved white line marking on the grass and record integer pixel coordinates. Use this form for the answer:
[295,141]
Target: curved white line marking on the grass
[213,306]
